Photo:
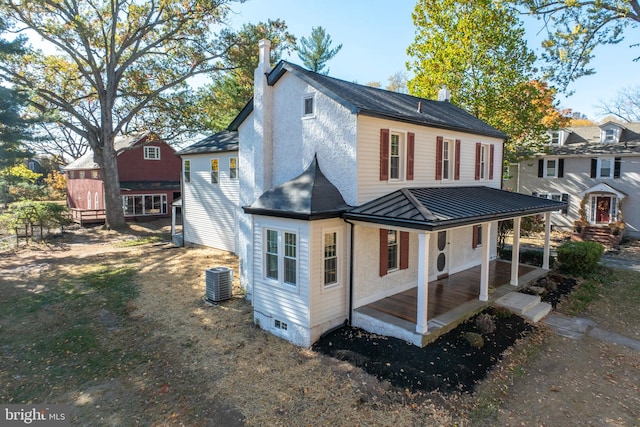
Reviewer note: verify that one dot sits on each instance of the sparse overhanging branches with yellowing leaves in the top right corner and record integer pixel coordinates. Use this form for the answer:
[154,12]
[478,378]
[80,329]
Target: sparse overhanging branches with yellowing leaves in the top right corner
[574,29]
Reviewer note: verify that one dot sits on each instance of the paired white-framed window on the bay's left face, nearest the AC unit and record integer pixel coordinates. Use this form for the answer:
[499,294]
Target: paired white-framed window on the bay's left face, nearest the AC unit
[281,256]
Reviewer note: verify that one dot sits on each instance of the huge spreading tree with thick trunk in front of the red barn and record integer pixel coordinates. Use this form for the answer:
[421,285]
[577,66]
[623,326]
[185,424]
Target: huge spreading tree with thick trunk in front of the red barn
[106,63]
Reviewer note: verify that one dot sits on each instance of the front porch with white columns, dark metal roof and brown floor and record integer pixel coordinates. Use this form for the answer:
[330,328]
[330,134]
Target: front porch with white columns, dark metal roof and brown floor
[419,313]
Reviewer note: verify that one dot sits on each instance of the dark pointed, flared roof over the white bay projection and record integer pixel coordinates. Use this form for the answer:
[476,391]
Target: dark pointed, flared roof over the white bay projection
[308,196]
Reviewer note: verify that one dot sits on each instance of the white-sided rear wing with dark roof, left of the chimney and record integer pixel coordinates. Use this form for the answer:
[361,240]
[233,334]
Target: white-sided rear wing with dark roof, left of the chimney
[210,188]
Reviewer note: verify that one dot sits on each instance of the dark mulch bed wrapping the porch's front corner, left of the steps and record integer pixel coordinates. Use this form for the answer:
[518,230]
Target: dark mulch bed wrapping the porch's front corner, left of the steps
[448,364]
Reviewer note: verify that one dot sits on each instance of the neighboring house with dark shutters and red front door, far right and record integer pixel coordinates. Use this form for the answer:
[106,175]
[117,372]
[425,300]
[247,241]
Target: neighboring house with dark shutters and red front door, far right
[593,168]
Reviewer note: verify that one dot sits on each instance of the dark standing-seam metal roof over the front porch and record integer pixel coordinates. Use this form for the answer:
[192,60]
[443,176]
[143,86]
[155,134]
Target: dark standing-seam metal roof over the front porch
[438,208]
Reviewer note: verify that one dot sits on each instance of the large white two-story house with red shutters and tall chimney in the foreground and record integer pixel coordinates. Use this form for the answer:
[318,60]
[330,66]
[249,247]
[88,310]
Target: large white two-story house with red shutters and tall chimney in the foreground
[353,194]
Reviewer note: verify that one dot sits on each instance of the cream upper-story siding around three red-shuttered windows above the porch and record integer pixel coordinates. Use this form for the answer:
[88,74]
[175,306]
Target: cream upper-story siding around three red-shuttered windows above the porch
[369,184]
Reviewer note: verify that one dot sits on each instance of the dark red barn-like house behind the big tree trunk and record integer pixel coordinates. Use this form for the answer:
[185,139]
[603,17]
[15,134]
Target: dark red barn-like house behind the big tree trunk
[149,172]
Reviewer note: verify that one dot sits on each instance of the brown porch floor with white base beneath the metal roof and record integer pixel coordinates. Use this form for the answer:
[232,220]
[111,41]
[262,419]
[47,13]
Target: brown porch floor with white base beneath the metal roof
[450,301]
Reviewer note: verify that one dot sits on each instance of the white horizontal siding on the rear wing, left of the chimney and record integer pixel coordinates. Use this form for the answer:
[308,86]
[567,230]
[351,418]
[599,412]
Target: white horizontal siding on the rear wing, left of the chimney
[210,209]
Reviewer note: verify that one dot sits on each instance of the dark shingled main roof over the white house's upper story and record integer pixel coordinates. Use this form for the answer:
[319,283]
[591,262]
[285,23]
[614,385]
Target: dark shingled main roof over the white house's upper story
[381,103]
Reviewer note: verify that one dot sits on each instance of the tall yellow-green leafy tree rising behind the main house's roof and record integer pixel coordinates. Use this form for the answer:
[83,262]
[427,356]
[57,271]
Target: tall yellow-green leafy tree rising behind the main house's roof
[478,50]
